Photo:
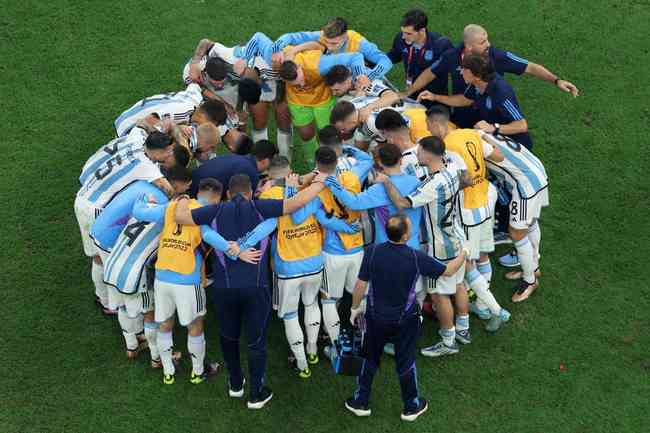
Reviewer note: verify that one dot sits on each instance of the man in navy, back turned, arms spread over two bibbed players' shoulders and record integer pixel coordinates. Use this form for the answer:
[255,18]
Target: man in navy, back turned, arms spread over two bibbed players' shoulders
[241,292]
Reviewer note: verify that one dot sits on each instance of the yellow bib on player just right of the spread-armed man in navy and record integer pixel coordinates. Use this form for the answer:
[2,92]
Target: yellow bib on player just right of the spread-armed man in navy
[295,241]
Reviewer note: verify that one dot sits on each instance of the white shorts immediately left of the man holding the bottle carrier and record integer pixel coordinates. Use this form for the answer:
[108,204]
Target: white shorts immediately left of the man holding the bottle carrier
[341,271]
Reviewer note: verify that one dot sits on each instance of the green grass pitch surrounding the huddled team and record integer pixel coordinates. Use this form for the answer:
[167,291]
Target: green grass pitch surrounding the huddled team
[69,68]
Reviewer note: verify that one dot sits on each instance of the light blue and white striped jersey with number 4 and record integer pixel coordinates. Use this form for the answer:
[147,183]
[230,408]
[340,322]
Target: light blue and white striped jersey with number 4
[124,268]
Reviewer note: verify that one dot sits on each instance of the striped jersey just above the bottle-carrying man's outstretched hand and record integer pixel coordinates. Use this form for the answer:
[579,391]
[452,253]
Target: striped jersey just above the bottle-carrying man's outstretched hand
[437,195]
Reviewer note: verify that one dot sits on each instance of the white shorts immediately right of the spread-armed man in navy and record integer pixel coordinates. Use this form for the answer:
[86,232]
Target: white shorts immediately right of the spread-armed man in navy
[287,292]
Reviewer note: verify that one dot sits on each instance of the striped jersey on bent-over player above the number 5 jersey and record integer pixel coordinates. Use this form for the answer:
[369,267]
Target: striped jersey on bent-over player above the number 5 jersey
[177,106]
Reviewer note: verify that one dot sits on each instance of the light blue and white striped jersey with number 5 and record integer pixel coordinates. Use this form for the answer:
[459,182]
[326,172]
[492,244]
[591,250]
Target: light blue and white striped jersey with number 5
[116,173]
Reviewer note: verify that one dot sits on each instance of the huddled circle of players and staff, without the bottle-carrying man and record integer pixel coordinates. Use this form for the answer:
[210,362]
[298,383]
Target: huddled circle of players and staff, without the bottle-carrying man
[452,152]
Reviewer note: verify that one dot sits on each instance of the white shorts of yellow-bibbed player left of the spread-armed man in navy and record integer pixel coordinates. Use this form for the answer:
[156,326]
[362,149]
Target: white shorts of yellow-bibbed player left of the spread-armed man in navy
[188,301]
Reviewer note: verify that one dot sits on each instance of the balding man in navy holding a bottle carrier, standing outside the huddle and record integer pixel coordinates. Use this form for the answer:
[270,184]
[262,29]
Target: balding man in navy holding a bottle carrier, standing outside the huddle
[393,314]
